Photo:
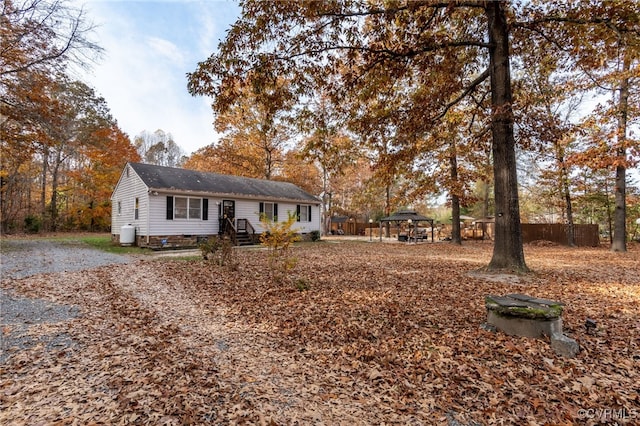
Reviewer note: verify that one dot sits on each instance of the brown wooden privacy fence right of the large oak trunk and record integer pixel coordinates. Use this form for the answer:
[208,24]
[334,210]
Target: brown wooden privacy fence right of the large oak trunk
[585,235]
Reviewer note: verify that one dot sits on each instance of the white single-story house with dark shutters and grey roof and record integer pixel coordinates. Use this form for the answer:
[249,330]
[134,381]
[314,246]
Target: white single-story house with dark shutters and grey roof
[172,207]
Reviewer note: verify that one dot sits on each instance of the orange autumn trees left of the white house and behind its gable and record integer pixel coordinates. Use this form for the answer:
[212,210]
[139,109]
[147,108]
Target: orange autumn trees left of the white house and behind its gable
[62,150]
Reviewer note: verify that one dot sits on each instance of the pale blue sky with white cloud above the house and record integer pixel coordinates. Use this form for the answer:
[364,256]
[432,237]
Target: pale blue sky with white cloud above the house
[150,46]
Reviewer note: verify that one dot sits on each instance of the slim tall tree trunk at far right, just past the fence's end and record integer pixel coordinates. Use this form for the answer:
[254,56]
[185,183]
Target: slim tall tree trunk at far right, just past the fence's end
[619,238]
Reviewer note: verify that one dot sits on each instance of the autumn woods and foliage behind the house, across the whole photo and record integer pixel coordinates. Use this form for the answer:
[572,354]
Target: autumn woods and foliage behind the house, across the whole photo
[372,106]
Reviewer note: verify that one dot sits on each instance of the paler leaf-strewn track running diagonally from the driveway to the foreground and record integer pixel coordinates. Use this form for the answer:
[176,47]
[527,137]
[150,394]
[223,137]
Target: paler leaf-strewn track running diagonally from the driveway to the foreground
[253,371]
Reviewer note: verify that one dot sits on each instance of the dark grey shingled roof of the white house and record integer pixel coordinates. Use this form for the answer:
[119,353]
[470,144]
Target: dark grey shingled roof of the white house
[169,178]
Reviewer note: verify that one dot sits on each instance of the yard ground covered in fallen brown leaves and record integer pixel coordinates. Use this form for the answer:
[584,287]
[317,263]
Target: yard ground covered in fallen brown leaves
[383,334]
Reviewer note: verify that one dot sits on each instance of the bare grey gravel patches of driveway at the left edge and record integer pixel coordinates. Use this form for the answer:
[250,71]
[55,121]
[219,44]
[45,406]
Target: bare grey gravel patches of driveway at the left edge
[24,258]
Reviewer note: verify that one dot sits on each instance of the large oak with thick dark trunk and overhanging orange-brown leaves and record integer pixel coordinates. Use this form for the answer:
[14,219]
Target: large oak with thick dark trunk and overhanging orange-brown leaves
[460,49]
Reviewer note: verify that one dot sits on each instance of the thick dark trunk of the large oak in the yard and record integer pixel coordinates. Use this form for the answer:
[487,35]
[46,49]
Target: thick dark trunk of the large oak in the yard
[508,252]
